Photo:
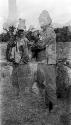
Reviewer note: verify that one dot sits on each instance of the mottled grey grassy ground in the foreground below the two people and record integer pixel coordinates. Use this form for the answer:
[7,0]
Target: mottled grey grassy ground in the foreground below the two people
[27,109]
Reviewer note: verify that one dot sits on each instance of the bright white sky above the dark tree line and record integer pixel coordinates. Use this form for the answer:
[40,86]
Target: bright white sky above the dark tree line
[59,10]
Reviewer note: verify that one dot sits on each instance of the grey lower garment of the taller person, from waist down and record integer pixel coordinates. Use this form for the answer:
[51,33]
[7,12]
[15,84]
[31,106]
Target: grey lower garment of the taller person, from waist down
[46,79]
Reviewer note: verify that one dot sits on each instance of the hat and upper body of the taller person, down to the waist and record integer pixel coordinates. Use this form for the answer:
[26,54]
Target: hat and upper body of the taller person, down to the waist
[48,36]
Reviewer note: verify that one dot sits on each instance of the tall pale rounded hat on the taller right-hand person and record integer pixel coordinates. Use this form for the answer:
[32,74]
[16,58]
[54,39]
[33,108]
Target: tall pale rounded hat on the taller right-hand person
[44,18]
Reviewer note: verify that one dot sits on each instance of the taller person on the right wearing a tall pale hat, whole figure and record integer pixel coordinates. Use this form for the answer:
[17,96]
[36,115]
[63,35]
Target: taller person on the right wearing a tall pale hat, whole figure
[46,75]
